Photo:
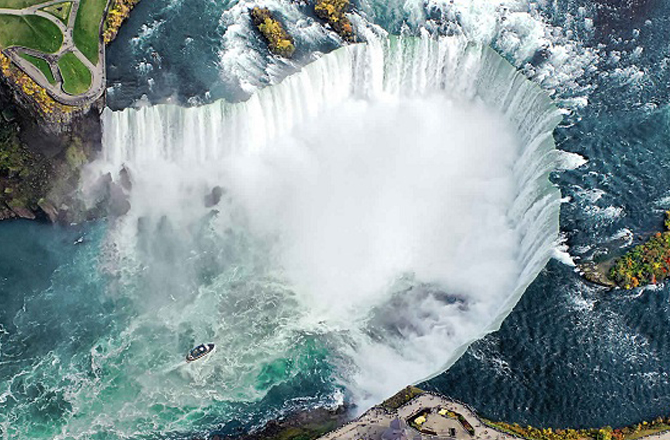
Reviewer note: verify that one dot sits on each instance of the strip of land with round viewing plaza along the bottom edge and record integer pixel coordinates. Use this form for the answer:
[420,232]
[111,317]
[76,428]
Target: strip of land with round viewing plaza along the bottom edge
[424,415]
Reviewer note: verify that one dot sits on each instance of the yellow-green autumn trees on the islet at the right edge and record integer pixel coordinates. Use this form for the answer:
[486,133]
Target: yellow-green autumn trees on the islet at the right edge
[647,263]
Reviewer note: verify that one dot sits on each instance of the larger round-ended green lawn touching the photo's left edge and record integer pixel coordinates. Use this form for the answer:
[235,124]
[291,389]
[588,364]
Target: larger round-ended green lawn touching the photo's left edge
[30,31]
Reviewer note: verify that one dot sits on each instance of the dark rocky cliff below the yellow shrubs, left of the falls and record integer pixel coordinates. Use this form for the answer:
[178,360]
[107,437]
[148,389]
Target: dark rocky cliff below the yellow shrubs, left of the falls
[41,158]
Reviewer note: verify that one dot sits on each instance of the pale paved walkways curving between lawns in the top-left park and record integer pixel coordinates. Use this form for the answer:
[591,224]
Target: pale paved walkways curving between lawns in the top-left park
[98,73]
